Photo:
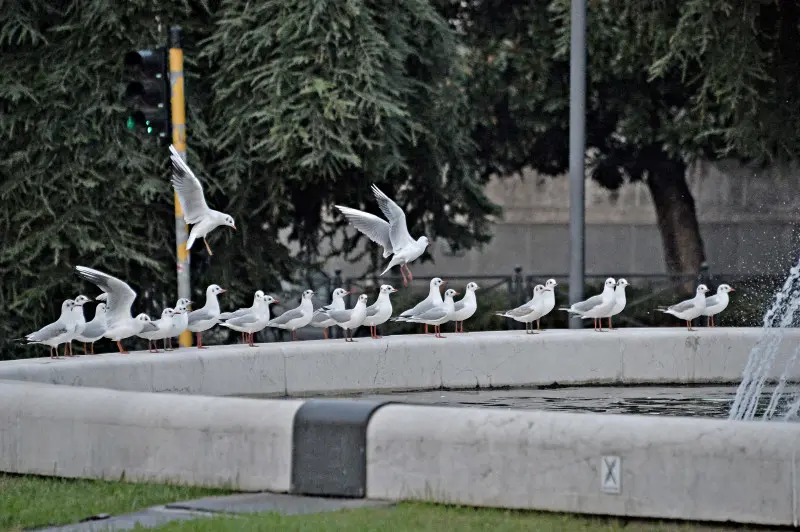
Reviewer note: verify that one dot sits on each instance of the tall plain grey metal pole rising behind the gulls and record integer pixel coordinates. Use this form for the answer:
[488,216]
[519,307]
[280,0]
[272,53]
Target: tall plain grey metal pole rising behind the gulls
[577,151]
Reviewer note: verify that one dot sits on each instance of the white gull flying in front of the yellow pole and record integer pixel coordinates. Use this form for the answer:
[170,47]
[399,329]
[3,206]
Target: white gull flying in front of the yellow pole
[193,202]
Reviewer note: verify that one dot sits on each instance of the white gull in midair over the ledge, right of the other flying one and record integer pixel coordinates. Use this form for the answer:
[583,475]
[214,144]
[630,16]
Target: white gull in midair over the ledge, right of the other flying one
[393,235]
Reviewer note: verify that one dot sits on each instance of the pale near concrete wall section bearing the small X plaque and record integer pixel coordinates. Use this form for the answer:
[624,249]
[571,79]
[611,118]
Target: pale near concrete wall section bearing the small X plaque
[635,466]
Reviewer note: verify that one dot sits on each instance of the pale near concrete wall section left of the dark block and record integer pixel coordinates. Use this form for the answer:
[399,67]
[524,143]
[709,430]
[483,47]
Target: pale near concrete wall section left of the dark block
[107,434]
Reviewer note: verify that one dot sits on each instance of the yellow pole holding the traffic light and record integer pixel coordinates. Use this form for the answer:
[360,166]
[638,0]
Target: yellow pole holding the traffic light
[179,141]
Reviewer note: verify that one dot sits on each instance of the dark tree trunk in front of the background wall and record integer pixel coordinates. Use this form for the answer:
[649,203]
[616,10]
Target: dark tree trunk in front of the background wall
[677,219]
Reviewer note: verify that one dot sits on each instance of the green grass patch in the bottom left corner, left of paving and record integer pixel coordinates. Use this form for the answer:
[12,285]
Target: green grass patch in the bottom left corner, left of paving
[30,501]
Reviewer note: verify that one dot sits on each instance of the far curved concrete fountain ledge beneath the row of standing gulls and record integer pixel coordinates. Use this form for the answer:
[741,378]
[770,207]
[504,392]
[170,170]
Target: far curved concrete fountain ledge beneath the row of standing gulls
[417,362]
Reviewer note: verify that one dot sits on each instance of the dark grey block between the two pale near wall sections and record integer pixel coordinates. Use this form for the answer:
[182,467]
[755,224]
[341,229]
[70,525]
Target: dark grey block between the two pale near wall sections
[329,446]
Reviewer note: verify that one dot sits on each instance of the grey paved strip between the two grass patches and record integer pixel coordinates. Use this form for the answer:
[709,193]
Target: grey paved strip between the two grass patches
[246,503]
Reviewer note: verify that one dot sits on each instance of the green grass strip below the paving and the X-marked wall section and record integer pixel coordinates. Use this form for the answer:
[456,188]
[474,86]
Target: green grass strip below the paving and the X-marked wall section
[416,517]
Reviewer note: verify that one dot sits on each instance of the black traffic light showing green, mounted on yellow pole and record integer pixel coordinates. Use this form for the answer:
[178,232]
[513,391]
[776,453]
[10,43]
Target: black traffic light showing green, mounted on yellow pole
[148,93]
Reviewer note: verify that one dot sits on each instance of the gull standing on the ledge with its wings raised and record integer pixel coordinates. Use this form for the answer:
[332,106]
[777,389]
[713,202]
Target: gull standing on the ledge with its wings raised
[119,322]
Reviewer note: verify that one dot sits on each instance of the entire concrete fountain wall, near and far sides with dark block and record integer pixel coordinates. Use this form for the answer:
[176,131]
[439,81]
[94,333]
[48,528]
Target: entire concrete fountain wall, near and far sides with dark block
[107,423]
